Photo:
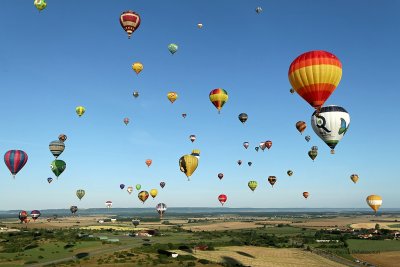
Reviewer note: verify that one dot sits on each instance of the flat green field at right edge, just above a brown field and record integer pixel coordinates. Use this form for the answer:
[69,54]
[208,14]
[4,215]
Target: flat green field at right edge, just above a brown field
[357,246]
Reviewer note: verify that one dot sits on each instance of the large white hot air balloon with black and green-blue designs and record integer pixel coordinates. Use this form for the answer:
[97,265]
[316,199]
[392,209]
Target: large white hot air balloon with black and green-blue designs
[331,124]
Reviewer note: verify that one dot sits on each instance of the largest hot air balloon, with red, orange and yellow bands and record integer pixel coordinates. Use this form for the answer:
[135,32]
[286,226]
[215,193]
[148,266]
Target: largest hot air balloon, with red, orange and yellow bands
[315,75]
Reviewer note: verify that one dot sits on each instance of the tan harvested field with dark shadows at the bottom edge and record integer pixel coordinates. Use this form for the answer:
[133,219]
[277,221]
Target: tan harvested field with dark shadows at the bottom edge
[263,257]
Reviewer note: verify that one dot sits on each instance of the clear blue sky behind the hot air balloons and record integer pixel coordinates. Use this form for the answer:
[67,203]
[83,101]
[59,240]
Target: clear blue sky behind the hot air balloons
[74,54]
